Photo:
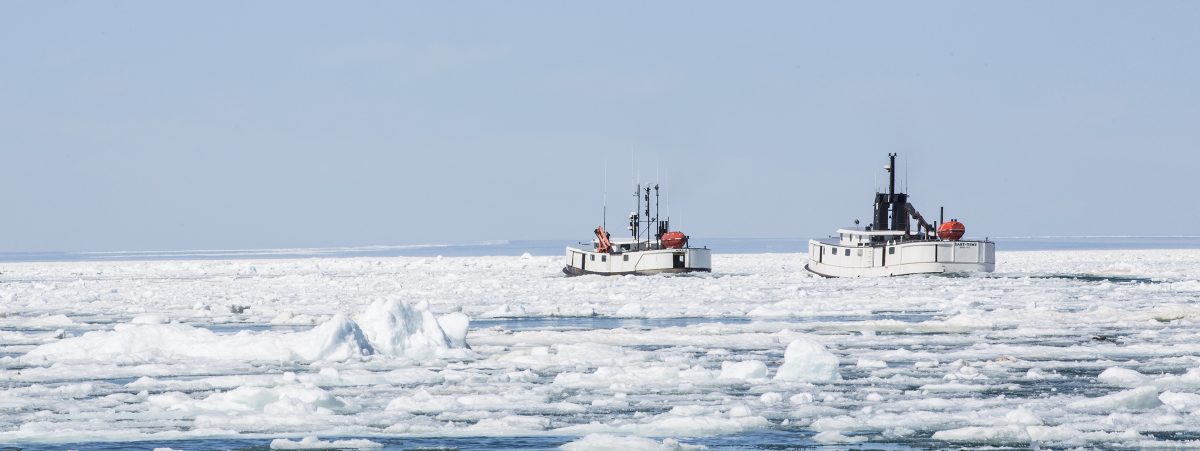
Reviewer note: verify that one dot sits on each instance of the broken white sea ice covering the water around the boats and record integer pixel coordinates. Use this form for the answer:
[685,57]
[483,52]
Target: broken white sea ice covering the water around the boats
[1065,348]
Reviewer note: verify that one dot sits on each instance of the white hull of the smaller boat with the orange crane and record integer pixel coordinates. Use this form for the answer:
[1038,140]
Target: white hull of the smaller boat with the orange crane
[580,262]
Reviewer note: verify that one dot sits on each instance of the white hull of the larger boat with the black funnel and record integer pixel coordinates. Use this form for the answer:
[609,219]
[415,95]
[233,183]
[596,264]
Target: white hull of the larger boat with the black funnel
[901,260]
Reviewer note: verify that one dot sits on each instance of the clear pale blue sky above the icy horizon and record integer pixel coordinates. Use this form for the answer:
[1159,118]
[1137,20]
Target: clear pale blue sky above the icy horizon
[141,125]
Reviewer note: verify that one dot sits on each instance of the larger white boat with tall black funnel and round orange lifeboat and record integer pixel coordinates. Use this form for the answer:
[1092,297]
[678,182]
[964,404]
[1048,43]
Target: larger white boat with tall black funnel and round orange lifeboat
[890,246]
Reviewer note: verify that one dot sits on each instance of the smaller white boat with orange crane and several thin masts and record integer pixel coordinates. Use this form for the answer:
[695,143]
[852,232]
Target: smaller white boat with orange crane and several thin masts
[653,249]
